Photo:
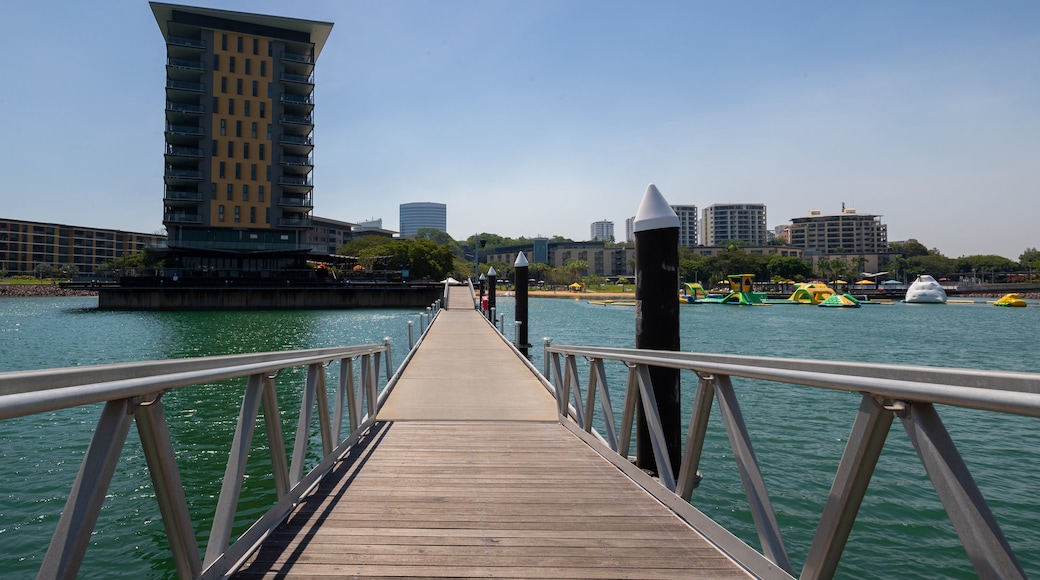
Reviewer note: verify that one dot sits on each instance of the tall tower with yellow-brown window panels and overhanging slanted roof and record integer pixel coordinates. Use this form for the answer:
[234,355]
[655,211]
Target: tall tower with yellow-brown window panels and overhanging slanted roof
[239,136]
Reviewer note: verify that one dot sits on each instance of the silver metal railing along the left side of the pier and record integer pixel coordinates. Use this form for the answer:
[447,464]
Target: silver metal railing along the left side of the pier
[133,392]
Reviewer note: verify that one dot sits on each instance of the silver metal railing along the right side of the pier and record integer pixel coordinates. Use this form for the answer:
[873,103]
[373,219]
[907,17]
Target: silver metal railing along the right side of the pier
[889,392]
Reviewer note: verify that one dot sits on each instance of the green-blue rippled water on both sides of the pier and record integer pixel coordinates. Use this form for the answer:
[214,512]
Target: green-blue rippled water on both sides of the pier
[799,434]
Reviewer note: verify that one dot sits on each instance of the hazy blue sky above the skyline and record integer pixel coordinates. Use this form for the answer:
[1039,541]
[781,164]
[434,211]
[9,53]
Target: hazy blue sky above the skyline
[538,118]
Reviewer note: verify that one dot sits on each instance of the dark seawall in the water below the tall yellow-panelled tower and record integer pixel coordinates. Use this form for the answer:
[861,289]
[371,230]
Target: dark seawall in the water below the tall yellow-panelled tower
[269,299]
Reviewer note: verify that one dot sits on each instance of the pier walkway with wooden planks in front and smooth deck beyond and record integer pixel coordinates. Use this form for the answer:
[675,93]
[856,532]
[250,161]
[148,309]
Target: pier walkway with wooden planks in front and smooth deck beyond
[470,473]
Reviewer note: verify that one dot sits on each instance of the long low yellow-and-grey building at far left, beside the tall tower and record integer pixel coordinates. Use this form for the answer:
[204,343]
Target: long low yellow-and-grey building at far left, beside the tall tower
[27,247]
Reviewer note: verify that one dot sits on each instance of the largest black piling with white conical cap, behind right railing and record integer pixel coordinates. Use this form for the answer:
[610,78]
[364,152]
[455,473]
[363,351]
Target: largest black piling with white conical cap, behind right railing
[657,229]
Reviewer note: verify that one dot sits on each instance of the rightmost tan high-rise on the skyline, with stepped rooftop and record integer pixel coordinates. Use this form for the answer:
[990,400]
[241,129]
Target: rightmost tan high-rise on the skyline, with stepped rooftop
[846,232]
